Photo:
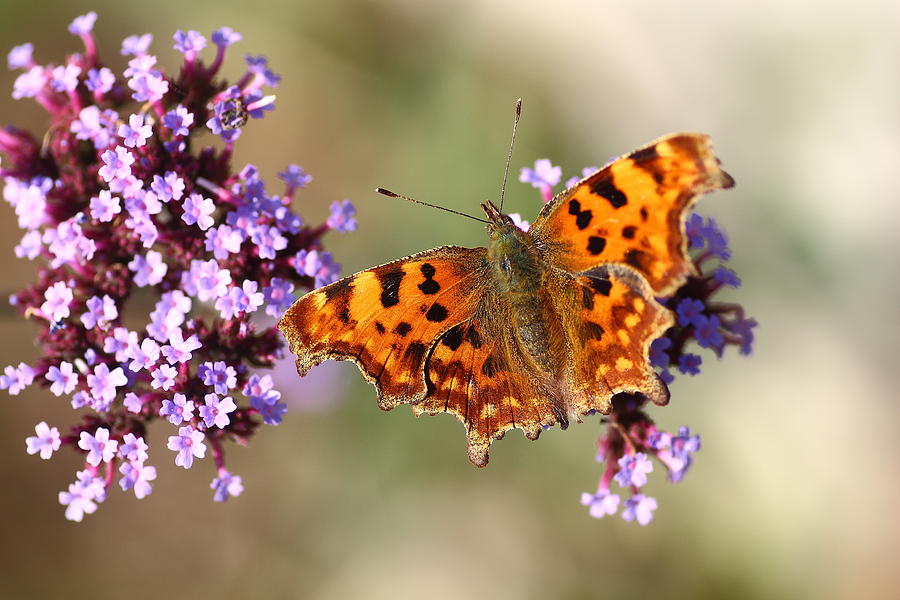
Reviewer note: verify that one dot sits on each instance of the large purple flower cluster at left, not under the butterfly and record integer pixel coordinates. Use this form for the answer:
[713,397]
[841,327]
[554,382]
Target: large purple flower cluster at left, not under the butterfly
[119,202]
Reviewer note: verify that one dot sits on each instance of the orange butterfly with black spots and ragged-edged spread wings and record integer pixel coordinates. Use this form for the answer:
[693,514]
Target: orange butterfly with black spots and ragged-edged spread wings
[540,327]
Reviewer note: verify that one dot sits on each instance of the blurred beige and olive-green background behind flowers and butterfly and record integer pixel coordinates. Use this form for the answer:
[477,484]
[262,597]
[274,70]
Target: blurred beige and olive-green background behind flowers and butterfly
[794,494]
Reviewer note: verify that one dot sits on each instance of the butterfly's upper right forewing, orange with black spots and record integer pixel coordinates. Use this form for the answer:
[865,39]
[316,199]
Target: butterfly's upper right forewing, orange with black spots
[632,211]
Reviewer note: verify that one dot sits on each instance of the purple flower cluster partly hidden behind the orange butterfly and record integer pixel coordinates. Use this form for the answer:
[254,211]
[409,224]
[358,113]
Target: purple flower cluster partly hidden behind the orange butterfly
[631,439]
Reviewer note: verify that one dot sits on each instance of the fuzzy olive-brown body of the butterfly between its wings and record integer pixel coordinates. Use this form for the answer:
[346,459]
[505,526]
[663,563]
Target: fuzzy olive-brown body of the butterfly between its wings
[517,272]
